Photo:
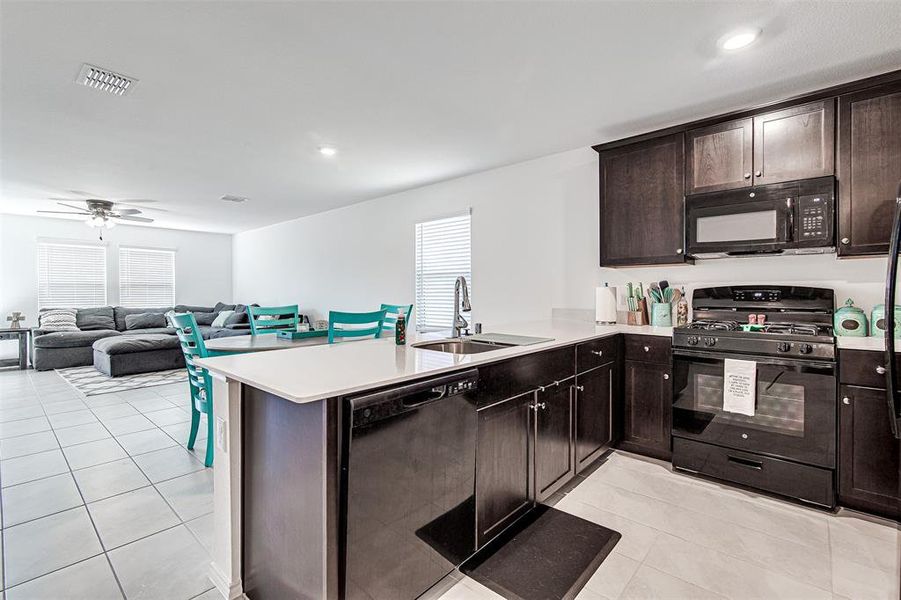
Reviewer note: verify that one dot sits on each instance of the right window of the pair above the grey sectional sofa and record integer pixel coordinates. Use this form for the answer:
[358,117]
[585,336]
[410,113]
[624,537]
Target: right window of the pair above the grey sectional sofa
[146,277]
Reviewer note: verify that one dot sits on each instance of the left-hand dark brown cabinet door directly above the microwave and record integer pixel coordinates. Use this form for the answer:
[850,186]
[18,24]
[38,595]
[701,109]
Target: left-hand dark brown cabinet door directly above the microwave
[719,157]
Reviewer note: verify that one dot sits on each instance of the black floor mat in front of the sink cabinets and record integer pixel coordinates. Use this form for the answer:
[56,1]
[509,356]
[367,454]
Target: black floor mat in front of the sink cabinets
[548,555]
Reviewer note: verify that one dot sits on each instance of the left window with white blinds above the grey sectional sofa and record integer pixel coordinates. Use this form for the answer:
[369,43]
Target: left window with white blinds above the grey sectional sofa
[71,275]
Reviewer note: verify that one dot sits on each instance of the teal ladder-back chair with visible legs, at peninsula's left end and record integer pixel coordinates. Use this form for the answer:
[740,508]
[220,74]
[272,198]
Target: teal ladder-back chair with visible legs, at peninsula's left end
[199,380]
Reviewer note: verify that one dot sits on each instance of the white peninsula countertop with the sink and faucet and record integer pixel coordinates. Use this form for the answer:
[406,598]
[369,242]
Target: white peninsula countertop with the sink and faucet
[310,374]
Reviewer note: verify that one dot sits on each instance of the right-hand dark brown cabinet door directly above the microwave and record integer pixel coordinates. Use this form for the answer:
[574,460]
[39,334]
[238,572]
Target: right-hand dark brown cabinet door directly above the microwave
[795,143]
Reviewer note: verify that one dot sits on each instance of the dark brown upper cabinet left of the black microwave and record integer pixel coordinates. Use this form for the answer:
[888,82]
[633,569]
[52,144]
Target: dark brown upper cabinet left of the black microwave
[642,203]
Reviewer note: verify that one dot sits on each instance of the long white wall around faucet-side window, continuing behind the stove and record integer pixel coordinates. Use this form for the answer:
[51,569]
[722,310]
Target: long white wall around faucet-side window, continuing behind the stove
[535,247]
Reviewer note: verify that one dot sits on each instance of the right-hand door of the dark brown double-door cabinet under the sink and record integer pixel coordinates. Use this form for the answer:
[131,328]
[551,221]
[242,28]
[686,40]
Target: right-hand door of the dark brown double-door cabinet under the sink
[553,439]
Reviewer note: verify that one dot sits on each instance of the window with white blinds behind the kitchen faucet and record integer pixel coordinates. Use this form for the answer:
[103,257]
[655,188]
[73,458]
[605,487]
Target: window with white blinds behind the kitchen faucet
[443,249]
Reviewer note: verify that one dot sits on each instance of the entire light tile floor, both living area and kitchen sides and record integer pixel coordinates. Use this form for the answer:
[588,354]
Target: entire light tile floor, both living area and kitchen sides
[100,499]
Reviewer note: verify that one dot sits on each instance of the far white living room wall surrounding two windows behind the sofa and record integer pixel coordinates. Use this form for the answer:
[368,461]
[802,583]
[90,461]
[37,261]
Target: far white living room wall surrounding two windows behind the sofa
[203,269]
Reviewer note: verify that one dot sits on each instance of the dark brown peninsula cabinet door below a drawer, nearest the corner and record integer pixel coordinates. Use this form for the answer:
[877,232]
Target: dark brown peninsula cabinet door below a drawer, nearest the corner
[593,407]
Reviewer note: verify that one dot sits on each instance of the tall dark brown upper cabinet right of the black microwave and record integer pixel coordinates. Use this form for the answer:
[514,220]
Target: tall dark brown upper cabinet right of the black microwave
[869,168]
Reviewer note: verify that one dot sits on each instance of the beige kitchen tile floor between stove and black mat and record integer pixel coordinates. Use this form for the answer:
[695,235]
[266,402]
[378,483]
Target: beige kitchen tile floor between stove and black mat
[683,537]
